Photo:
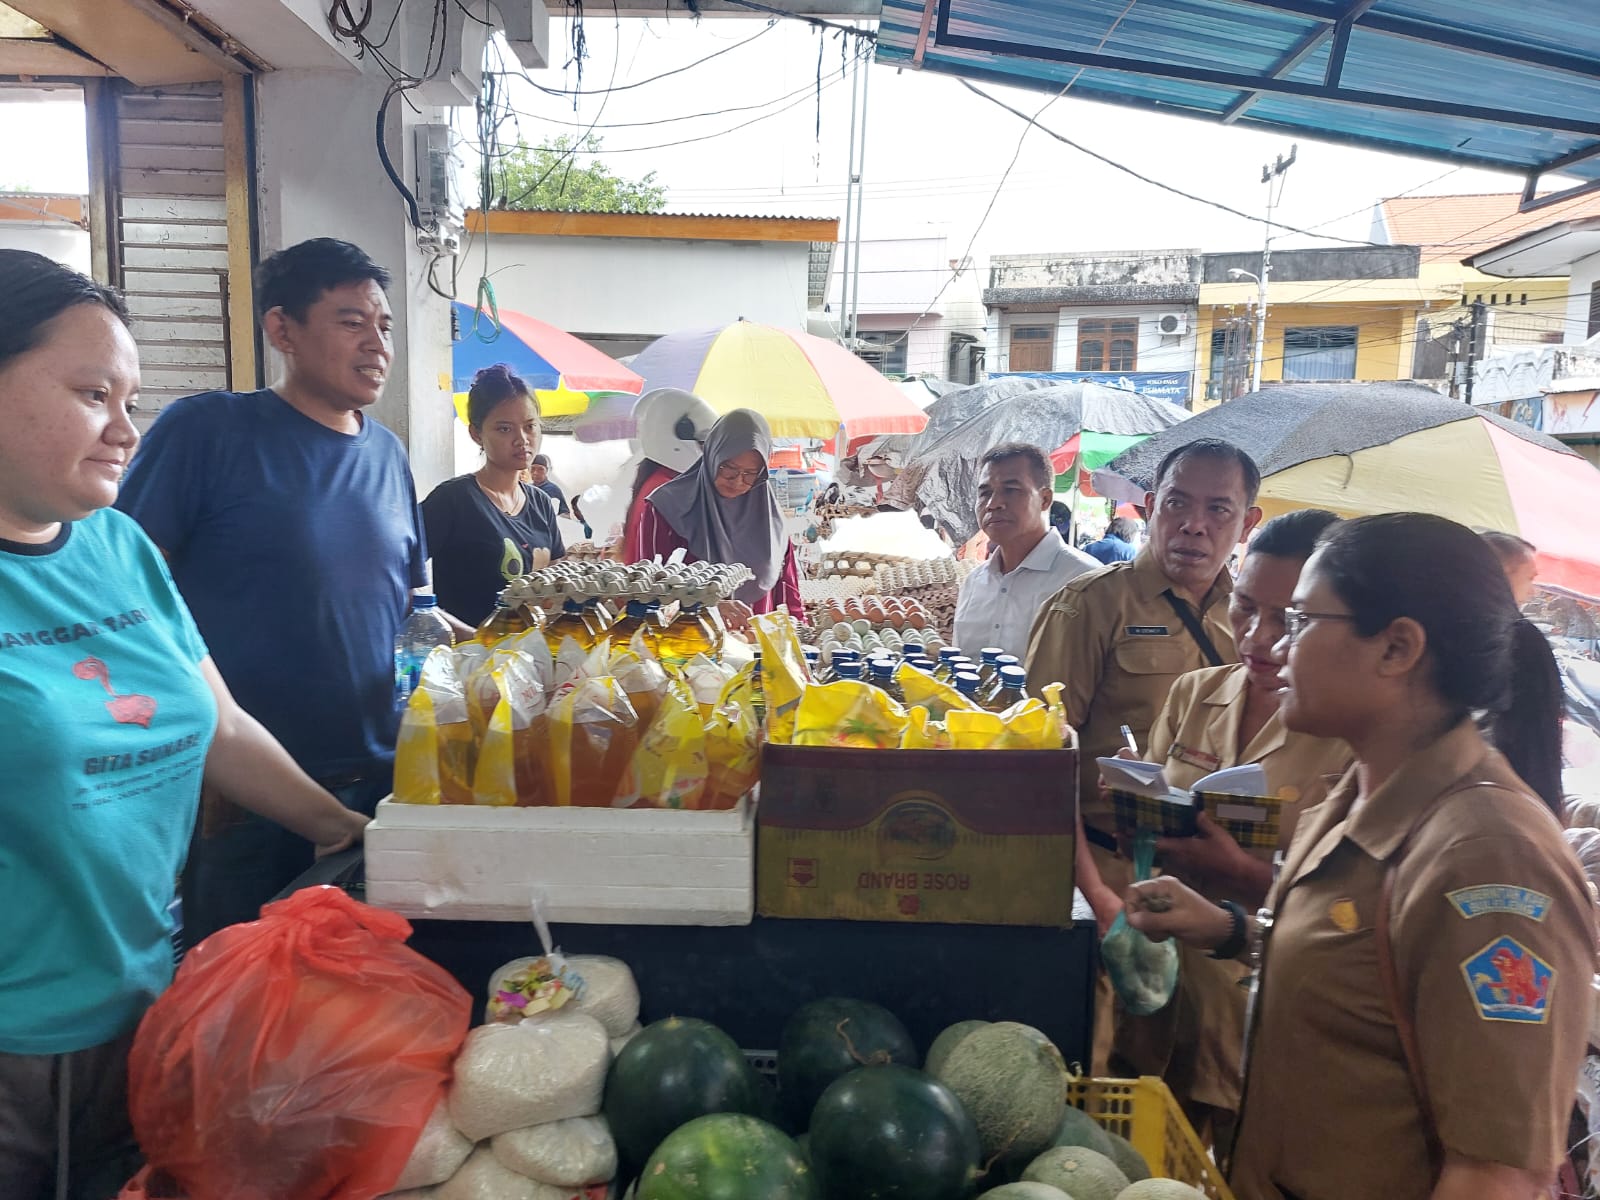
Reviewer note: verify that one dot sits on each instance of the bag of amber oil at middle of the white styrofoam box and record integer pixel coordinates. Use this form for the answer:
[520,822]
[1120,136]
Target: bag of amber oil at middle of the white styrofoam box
[594,734]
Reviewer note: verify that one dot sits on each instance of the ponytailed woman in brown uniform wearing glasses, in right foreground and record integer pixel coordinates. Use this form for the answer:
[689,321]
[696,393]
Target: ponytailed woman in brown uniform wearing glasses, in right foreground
[1430,945]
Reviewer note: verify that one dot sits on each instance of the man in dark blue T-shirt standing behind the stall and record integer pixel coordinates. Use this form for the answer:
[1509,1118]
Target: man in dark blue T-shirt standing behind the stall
[290,522]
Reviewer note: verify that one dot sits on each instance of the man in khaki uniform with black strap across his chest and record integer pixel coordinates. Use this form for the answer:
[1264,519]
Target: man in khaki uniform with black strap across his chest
[1121,636]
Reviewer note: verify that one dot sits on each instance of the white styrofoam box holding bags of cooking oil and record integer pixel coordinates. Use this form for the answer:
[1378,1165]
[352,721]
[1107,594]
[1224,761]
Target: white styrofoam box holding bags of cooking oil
[596,866]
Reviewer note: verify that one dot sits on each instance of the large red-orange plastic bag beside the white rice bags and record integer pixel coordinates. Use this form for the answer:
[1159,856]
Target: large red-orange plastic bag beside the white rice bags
[297,1057]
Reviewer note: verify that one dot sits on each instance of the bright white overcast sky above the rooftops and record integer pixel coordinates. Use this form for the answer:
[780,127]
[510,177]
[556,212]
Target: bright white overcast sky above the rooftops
[935,153]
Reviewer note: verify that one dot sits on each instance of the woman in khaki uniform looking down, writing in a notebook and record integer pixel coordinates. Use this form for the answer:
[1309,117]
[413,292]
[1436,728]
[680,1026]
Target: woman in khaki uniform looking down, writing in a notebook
[1214,719]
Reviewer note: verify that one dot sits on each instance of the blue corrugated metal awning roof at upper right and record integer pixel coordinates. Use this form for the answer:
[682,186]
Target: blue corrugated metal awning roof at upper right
[1500,86]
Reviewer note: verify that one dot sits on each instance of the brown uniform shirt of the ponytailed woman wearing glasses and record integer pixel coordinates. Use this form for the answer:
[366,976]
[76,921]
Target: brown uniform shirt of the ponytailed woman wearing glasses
[1494,942]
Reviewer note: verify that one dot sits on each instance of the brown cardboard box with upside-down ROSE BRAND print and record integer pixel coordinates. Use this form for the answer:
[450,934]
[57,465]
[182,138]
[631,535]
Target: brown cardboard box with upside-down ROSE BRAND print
[972,838]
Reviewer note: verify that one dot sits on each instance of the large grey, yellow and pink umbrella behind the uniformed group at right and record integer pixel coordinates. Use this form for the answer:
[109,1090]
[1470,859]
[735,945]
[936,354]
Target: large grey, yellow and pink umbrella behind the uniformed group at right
[1367,449]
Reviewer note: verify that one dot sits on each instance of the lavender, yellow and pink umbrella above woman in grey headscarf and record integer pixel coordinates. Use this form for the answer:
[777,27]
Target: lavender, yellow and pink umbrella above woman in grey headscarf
[806,386]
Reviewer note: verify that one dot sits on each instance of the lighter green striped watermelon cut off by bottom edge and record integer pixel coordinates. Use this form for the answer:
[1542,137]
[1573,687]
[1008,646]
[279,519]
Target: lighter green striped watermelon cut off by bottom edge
[727,1158]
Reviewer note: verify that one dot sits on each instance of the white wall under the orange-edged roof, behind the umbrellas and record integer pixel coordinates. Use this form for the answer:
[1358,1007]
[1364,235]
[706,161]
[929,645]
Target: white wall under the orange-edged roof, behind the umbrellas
[626,286]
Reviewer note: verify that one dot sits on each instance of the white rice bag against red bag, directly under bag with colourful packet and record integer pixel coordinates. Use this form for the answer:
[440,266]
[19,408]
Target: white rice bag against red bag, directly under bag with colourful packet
[510,1078]
